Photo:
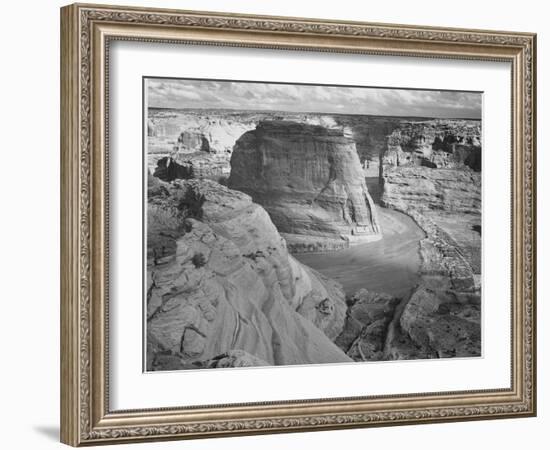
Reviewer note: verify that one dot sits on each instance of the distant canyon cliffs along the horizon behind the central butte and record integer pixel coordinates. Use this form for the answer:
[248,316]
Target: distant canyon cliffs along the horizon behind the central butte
[436,141]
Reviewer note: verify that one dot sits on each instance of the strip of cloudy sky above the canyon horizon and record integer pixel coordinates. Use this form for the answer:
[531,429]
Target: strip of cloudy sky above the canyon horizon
[185,93]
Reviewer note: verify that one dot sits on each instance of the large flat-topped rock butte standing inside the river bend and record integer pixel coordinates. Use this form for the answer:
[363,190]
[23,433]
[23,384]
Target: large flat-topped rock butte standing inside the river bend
[310,181]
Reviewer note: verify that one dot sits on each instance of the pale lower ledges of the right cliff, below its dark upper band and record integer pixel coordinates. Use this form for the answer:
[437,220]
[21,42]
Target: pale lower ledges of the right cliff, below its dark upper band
[446,204]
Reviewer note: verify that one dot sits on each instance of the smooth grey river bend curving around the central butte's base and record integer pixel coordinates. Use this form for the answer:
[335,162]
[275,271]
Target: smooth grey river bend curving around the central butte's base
[390,265]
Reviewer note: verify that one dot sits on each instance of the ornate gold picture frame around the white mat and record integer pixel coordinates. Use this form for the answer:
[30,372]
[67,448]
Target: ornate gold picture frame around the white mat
[87,31]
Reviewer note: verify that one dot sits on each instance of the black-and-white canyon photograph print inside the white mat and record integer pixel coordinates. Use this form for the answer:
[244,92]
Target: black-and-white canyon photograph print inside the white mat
[306,224]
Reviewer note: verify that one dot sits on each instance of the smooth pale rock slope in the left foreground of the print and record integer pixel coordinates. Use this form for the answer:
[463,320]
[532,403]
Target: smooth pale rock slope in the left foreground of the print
[220,279]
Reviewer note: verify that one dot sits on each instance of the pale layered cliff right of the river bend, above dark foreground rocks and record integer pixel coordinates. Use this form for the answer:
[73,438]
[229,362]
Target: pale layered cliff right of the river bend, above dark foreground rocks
[432,172]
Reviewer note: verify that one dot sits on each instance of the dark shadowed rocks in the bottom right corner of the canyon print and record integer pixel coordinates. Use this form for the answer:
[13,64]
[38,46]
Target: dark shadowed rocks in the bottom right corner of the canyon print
[434,321]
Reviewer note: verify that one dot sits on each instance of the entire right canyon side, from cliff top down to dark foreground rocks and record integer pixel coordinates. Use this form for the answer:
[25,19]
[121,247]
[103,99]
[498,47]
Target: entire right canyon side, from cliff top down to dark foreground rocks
[431,172]
